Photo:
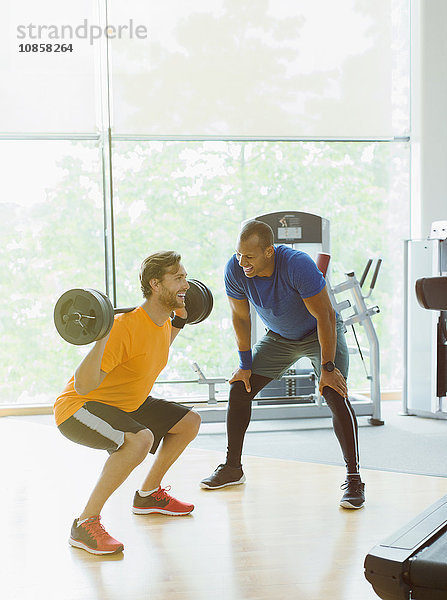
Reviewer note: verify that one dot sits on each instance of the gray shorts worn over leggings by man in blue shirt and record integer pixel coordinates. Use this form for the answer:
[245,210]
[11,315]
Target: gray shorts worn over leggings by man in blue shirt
[273,355]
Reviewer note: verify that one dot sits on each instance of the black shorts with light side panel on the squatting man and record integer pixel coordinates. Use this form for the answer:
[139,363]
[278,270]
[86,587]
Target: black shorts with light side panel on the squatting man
[101,426]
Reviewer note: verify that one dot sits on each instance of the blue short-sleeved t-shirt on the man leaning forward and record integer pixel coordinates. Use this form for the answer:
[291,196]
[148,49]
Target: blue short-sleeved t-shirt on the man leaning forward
[278,298]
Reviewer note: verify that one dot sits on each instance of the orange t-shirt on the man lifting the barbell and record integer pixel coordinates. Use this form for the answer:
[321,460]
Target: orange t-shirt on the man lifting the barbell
[136,352]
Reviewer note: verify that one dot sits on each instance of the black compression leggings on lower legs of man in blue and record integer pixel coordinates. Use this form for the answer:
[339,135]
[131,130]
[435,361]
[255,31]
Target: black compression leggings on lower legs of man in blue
[239,415]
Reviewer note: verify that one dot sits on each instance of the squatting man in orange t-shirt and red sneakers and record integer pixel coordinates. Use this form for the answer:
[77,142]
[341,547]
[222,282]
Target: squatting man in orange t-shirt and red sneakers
[106,404]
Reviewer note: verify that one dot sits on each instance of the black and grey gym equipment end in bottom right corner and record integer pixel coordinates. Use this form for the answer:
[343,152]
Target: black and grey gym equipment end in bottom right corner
[412,563]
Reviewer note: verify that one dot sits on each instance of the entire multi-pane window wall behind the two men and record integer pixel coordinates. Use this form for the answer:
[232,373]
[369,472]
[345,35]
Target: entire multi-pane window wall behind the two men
[223,111]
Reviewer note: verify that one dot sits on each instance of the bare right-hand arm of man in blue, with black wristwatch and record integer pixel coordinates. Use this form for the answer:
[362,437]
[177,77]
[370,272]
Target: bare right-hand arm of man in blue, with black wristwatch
[321,308]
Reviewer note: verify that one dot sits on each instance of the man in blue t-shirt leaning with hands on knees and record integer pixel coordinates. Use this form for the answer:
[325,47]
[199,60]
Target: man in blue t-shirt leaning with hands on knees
[289,294]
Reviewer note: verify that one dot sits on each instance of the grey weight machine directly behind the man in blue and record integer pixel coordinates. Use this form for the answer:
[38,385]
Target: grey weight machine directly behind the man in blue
[296,394]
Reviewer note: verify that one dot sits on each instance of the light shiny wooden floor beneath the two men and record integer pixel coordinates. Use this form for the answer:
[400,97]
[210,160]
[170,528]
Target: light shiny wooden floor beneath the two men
[280,536]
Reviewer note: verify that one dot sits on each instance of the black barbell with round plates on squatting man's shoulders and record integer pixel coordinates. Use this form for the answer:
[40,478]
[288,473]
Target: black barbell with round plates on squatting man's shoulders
[83,316]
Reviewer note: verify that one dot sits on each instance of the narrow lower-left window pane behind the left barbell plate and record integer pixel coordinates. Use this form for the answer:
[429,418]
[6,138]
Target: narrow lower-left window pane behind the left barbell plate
[51,229]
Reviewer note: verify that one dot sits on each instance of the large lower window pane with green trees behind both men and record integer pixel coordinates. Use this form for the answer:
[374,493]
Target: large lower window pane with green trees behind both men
[192,197]
